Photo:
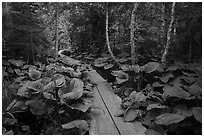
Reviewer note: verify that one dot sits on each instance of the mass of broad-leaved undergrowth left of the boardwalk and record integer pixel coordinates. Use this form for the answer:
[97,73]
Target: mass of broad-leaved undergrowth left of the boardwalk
[46,99]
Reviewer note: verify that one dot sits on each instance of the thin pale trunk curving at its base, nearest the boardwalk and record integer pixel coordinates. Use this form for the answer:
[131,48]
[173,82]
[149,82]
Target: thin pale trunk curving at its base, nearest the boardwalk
[107,40]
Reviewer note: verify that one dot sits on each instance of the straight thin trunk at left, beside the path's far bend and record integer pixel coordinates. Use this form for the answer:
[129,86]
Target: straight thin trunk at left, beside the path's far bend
[56,31]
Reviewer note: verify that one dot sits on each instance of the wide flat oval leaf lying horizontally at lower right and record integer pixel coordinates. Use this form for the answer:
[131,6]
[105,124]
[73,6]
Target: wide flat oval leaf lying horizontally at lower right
[169,118]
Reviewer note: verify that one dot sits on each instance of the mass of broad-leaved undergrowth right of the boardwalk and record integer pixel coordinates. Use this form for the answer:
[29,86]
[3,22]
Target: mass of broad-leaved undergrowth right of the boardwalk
[165,99]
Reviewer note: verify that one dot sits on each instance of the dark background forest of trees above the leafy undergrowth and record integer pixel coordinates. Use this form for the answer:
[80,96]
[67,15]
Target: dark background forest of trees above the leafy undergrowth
[34,30]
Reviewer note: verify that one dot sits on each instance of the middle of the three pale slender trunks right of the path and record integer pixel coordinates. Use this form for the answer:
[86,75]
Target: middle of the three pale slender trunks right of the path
[132,30]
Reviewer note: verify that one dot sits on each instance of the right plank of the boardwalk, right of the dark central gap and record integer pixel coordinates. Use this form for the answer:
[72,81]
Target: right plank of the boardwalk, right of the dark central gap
[112,103]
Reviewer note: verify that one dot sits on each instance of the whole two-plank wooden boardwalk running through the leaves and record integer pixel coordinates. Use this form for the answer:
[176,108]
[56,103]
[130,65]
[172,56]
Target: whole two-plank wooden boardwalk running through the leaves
[105,122]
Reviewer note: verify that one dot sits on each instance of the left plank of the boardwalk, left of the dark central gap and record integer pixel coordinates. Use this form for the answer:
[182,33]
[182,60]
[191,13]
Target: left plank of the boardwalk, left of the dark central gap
[101,122]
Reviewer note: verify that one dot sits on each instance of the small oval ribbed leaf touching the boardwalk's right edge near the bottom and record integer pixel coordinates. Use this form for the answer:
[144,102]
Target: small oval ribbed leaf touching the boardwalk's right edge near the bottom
[130,114]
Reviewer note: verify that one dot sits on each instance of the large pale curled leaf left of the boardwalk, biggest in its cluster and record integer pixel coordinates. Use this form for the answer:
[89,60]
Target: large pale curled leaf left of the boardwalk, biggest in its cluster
[76,86]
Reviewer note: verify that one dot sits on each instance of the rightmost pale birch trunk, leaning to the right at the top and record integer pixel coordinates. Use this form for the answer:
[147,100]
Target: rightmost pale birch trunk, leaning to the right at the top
[163,60]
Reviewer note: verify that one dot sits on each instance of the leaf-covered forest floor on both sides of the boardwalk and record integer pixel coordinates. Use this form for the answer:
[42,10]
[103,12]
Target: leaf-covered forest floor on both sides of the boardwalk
[57,98]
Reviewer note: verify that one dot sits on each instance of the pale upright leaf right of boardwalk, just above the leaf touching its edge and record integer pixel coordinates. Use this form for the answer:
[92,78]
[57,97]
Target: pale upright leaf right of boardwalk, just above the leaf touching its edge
[137,97]
